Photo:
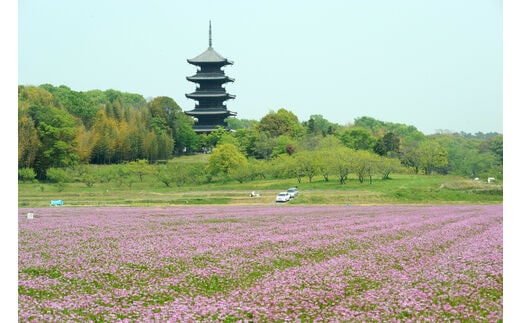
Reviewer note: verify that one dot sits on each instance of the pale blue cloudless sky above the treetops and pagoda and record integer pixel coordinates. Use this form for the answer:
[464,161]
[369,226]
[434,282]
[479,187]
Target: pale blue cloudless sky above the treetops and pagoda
[436,65]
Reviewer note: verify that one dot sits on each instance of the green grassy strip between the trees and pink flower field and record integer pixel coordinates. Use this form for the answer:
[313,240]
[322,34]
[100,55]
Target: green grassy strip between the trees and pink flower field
[400,189]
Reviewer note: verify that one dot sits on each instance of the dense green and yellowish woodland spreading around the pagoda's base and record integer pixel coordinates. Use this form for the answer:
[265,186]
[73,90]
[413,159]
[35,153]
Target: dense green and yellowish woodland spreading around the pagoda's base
[62,128]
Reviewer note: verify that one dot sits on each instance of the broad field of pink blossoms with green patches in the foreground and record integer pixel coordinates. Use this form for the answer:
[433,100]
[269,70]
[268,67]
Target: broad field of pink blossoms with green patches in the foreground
[261,264]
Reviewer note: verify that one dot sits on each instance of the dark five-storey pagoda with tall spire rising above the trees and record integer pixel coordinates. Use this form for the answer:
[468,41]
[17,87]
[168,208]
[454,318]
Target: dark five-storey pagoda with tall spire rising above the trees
[210,94]
